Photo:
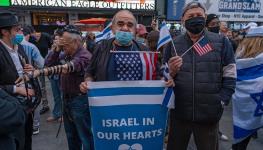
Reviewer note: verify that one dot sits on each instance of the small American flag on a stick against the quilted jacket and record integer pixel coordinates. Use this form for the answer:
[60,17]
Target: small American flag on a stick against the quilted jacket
[202,46]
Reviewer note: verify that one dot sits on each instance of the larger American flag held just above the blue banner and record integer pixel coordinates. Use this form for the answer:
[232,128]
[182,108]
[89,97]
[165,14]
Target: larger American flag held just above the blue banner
[135,65]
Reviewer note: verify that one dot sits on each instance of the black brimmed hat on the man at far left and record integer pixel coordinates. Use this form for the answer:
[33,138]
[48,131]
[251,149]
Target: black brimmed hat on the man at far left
[8,19]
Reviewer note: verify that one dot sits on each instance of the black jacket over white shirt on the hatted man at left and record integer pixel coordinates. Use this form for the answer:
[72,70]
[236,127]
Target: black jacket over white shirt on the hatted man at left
[8,72]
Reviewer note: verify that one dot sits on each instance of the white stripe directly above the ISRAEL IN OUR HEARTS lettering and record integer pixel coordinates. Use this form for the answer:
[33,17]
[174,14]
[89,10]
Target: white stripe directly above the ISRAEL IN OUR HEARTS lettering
[126,100]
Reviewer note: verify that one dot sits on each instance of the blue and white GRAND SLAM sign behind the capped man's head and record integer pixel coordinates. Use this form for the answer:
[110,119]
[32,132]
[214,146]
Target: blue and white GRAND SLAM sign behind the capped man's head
[227,10]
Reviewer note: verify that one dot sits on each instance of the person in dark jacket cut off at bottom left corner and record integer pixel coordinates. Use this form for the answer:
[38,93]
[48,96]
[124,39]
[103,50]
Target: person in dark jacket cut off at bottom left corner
[12,120]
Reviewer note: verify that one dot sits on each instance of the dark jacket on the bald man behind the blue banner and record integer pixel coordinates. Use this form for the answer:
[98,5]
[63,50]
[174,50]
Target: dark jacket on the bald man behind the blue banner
[97,69]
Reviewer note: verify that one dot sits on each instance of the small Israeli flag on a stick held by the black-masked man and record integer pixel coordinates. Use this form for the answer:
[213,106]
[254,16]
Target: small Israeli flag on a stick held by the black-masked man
[165,36]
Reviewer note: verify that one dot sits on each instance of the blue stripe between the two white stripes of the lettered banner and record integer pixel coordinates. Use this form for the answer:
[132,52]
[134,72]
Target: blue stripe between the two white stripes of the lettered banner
[126,91]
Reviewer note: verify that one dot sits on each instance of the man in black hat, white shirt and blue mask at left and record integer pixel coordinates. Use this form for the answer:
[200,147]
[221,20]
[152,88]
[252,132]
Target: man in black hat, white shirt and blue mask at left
[13,64]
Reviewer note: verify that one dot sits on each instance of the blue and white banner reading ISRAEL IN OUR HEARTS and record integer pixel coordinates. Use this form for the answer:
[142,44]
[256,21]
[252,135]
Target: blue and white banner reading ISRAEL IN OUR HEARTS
[129,115]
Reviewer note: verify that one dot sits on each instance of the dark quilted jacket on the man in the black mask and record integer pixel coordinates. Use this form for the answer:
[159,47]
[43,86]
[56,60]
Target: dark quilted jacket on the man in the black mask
[203,82]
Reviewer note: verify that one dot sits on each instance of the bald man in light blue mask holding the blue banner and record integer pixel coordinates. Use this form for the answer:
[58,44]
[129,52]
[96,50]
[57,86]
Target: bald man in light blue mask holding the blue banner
[124,28]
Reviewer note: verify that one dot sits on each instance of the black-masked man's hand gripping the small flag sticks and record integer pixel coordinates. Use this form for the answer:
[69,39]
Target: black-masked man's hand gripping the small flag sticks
[175,64]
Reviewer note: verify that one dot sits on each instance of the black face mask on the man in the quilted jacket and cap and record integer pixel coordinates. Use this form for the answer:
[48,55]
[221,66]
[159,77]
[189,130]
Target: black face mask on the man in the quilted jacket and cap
[195,25]
